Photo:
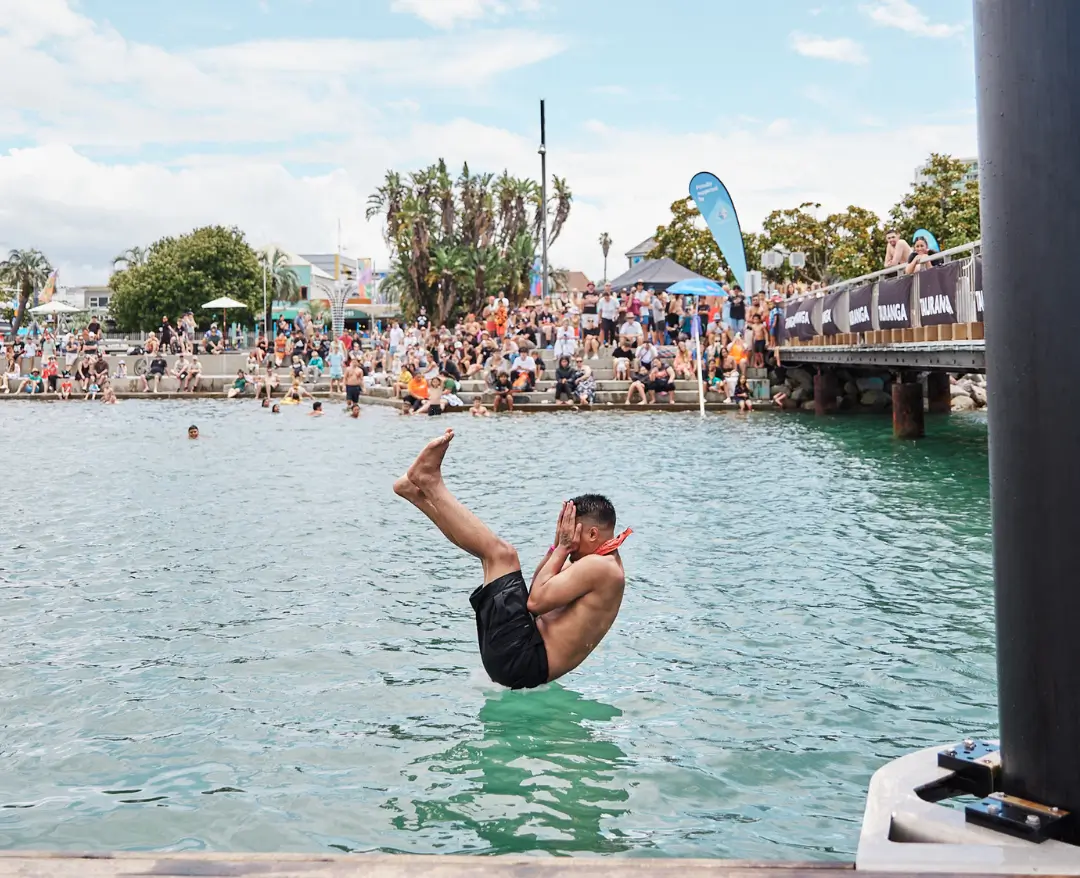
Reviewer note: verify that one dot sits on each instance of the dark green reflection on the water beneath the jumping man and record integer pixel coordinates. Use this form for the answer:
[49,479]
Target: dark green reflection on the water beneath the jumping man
[542,774]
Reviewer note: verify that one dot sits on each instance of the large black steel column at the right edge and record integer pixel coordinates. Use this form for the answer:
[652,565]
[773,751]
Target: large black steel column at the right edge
[1028,56]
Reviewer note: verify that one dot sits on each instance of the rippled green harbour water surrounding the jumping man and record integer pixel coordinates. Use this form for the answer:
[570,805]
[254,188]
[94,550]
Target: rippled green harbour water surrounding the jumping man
[248,643]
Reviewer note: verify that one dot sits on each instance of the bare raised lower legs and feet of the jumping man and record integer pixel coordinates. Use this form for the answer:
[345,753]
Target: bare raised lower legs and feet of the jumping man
[424,488]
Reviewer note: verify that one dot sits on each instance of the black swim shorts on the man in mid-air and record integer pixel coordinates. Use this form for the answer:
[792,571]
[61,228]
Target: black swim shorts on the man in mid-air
[510,644]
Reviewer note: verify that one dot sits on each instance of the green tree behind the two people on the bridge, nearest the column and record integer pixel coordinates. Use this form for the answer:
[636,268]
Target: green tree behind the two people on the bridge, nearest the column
[943,205]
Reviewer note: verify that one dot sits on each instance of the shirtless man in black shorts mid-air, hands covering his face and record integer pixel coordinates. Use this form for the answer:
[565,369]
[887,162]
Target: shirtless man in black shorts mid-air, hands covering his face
[530,637]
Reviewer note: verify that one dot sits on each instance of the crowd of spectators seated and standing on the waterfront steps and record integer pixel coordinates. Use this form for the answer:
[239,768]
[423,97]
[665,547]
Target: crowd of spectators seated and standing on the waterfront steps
[650,336]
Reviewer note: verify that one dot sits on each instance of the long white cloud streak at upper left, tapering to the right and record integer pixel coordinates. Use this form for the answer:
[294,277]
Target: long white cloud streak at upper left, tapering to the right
[71,80]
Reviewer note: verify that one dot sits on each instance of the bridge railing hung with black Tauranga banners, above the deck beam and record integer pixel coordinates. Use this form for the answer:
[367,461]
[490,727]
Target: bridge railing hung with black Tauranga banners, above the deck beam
[892,306]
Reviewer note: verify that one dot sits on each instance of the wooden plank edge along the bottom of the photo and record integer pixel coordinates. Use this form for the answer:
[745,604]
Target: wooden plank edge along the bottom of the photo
[33,865]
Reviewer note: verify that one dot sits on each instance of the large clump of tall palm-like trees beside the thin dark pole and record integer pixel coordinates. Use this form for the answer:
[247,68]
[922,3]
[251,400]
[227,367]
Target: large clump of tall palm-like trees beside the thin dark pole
[454,242]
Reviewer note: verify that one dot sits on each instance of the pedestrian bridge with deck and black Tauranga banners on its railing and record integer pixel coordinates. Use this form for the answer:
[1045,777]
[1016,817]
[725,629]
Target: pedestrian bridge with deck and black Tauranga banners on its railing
[930,321]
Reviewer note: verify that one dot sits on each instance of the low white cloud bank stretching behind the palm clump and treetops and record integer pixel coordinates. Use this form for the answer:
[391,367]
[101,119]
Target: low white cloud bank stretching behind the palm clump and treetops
[82,212]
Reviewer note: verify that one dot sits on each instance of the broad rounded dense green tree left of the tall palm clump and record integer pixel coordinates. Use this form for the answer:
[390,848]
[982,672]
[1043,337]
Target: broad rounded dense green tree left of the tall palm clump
[184,273]
